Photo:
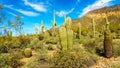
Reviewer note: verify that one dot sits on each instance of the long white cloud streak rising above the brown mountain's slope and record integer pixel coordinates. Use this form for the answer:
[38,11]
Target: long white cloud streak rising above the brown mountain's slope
[96,5]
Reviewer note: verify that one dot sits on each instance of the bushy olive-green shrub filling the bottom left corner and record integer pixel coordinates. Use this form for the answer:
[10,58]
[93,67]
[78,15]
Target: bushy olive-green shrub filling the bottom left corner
[10,61]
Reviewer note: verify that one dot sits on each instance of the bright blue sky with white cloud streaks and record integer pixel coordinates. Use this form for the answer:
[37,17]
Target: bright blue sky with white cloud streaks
[33,11]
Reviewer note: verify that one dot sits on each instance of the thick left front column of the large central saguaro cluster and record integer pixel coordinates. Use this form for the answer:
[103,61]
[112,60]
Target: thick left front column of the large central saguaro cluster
[63,38]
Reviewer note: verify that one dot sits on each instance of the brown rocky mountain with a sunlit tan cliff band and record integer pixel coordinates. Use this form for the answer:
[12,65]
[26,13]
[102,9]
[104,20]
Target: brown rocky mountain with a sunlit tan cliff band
[113,14]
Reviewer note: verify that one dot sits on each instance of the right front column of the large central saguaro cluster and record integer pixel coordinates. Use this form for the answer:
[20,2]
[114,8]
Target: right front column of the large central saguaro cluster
[69,39]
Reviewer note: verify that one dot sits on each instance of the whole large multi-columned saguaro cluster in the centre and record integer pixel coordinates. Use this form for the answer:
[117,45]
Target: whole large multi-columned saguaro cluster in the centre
[66,35]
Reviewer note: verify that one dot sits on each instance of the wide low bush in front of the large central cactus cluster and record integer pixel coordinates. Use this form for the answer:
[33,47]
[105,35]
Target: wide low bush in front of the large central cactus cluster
[73,59]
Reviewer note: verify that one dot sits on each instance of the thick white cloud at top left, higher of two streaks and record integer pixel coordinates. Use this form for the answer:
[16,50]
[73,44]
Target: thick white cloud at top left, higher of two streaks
[38,7]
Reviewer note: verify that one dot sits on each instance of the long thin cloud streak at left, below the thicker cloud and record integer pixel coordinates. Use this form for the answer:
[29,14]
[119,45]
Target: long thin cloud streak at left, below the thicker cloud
[27,13]
